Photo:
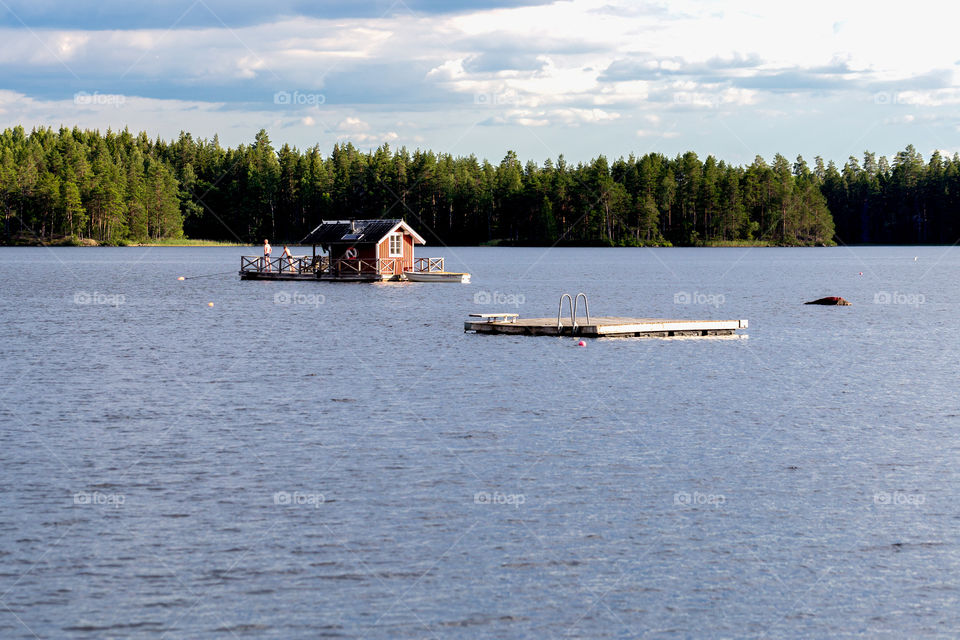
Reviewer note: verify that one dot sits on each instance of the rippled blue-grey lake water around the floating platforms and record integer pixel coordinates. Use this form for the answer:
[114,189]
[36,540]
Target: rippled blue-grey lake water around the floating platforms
[306,460]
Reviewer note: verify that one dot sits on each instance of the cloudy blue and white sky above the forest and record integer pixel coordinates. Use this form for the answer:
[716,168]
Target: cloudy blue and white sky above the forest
[584,77]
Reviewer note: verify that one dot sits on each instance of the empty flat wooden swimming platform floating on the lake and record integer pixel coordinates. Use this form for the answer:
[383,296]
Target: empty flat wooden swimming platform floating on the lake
[610,326]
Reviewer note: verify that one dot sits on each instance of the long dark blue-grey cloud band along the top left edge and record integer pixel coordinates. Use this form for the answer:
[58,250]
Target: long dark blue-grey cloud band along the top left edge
[122,14]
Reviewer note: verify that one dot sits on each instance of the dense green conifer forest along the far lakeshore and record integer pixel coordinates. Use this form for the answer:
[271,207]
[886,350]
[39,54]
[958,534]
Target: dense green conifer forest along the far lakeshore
[119,188]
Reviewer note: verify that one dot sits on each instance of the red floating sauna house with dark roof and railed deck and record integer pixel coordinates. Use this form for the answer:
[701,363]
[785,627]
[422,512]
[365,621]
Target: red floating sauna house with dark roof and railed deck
[356,250]
